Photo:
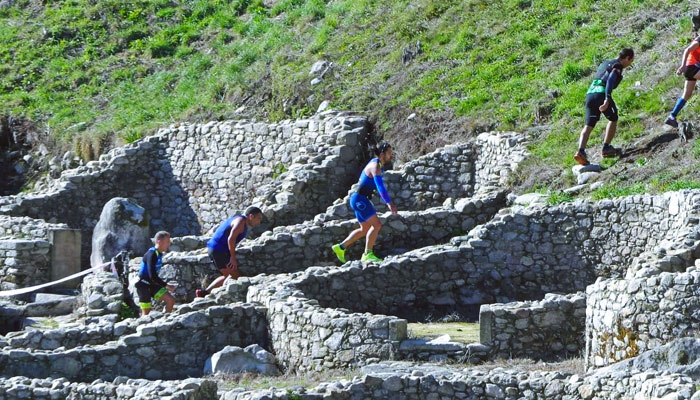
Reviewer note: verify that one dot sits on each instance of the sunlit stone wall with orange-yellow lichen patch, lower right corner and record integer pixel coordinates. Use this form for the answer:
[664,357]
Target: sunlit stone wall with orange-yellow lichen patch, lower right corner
[626,317]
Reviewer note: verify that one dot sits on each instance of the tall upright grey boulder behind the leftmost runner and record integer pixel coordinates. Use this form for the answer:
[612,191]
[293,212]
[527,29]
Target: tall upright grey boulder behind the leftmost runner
[123,225]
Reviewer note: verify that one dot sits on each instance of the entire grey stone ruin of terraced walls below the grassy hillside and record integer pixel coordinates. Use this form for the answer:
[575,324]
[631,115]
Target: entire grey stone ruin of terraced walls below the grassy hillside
[611,281]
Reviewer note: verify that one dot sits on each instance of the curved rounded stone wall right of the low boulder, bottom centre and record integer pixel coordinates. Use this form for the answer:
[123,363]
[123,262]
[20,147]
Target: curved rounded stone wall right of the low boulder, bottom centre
[307,337]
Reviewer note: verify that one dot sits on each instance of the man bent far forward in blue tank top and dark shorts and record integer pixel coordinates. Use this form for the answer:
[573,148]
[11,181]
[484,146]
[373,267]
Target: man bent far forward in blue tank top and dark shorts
[222,246]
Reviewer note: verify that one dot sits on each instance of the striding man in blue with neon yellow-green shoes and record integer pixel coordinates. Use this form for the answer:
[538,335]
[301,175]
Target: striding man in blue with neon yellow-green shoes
[370,180]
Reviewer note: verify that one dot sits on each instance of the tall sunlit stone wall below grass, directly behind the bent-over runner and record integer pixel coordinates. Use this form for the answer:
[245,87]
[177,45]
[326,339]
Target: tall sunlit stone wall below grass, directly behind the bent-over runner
[293,167]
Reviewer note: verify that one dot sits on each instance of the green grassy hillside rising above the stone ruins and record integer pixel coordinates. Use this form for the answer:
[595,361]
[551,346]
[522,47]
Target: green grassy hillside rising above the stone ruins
[93,73]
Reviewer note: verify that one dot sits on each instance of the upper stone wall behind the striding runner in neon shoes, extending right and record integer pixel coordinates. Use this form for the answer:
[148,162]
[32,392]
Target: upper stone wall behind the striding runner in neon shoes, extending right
[452,172]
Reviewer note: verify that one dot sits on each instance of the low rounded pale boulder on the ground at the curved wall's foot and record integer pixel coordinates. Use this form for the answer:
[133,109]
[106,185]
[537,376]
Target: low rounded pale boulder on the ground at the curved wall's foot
[235,360]
